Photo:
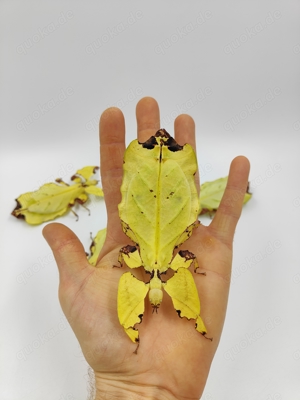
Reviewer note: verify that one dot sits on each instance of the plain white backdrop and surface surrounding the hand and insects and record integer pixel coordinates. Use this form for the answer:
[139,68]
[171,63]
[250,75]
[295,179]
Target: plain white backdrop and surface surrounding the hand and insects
[234,66]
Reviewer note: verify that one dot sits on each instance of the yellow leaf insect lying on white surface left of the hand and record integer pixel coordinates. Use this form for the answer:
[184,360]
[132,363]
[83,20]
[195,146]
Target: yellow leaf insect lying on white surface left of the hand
[55,199]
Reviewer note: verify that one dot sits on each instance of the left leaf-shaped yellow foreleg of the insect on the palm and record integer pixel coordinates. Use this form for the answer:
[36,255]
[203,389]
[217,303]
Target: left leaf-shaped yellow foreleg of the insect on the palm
[131,306]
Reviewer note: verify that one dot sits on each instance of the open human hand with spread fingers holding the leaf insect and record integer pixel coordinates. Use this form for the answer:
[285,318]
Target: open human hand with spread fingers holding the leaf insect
[173,359]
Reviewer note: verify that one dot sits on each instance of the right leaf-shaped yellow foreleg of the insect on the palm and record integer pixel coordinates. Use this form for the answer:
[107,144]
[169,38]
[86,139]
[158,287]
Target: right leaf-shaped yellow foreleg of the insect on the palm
[182,289]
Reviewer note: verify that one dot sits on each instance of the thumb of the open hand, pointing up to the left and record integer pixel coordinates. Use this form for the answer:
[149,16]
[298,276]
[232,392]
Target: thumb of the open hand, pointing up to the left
[68,252]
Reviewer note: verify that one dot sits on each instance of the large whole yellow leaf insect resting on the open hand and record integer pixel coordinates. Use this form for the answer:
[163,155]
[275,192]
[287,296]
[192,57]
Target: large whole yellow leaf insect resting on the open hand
[158,212]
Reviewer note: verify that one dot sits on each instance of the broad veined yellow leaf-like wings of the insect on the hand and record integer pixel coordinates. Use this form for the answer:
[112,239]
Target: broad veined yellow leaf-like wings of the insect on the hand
[159,199]
